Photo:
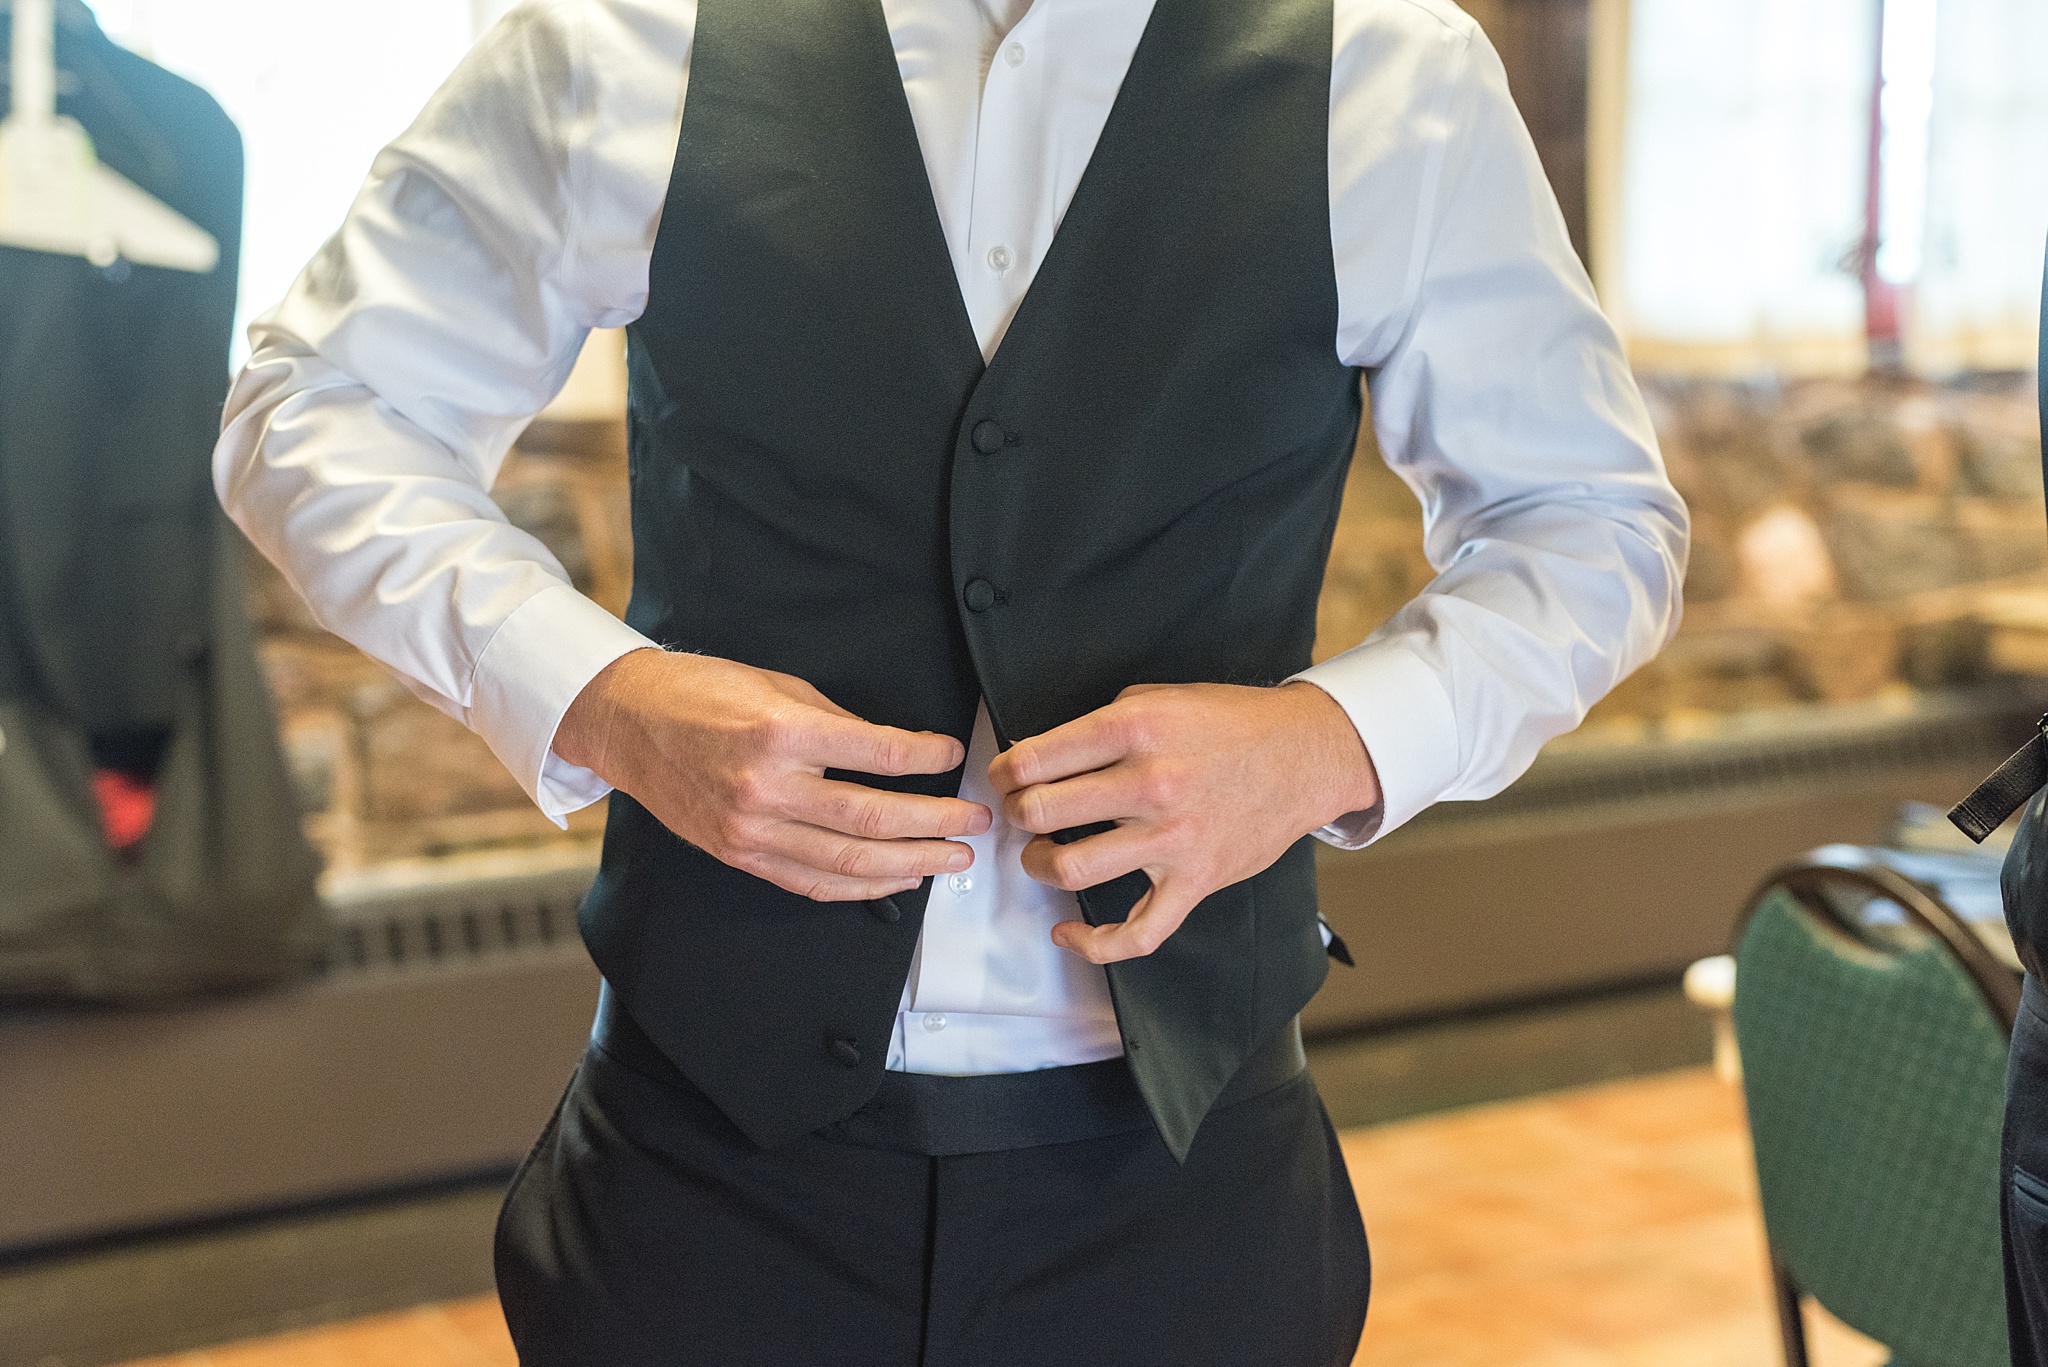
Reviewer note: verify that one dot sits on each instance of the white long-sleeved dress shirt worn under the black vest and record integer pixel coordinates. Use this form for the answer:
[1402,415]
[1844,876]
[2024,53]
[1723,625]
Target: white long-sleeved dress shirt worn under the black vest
[521,212]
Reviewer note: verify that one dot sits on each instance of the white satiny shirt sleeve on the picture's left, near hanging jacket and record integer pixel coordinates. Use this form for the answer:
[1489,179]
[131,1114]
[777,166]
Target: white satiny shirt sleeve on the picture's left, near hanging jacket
[386,390]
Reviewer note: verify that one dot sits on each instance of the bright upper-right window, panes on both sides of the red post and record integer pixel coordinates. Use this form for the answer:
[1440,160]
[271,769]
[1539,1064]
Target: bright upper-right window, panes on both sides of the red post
[1746,171]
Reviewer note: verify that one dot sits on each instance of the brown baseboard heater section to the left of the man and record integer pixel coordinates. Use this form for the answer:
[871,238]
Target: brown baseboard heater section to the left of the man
[445,1024]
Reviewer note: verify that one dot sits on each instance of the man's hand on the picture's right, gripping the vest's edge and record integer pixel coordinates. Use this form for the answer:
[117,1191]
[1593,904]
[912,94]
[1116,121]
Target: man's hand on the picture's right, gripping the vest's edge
[1207,786]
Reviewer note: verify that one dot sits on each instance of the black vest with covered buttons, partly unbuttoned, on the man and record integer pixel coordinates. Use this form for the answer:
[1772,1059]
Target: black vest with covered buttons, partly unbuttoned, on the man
[828,483]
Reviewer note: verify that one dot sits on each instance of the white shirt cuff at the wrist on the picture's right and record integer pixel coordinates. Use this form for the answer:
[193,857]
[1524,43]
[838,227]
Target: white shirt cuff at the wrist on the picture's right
[1406,720]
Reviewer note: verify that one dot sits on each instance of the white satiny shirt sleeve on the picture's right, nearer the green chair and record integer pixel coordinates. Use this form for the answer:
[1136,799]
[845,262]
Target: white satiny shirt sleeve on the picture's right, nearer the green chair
[1504,401]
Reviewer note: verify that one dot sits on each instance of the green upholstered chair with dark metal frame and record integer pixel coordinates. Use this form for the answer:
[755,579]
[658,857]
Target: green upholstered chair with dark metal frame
[1875,1028]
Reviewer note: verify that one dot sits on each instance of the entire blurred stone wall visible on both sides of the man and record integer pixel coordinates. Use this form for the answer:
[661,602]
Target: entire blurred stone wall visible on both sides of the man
[1846,538]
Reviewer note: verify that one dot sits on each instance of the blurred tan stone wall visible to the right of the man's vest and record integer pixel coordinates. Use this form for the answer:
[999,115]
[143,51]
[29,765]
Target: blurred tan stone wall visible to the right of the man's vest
[1850,540]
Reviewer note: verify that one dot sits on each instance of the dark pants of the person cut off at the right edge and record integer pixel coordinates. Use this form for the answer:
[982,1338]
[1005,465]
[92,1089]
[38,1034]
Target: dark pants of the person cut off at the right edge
[2024,1182]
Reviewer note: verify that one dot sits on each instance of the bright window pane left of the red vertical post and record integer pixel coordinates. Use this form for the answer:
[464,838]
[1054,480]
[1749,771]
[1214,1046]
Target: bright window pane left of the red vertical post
[1746,177]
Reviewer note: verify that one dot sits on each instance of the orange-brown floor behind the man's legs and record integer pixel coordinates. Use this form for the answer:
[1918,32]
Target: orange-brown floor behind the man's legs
[1611,1227]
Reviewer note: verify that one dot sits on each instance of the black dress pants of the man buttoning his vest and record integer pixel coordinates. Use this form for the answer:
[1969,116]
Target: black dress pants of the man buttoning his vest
[646,1231]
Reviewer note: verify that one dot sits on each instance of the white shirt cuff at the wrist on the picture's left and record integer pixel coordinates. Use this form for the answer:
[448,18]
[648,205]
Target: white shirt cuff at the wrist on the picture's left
[538,663]
